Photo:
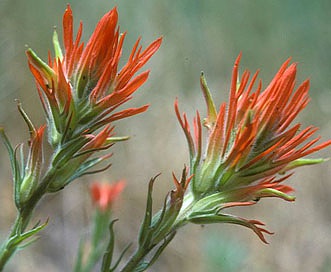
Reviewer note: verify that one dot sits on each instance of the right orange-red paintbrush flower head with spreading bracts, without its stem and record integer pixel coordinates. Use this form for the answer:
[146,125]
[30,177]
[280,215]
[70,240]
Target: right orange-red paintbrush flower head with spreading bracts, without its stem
[250,148]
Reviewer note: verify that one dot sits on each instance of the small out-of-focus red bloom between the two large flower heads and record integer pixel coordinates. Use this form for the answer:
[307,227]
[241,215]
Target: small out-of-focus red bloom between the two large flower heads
[104,194]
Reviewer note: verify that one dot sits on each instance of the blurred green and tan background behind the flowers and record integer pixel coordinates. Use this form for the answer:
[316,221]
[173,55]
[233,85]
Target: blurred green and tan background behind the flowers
[198,35]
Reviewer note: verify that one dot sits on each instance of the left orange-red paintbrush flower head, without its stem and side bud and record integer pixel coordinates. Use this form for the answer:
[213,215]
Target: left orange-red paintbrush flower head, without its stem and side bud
[81,90]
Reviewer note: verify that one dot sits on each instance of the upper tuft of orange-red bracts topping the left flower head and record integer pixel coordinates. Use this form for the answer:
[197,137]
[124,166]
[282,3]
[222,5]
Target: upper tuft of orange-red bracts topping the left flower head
[82,87]
